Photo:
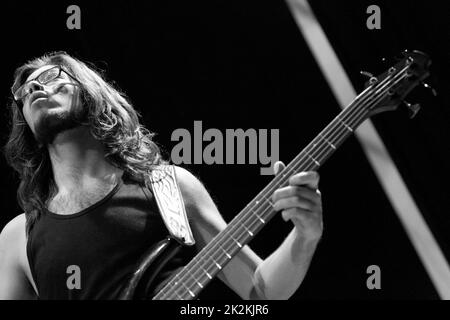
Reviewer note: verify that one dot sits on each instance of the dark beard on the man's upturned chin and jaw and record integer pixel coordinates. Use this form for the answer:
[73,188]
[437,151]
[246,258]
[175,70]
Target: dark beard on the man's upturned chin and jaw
[51,124]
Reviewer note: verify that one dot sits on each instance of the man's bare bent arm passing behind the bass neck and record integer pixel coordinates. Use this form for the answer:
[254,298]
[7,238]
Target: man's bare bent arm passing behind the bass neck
[278,276]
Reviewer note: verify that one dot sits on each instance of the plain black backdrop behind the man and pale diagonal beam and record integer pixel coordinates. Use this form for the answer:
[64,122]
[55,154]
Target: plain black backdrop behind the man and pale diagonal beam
[244,64]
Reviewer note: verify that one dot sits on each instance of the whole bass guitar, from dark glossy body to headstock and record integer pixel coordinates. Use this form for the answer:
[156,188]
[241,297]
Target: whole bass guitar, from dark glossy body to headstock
[382,93]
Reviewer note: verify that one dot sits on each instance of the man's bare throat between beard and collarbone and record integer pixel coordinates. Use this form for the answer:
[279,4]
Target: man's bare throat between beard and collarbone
[78,161]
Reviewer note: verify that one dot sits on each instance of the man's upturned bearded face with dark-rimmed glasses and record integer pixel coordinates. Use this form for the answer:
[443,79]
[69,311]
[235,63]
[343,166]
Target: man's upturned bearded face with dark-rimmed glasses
[53,107]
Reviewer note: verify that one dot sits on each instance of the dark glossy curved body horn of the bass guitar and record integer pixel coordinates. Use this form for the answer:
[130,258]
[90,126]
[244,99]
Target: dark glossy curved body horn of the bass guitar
[153,260]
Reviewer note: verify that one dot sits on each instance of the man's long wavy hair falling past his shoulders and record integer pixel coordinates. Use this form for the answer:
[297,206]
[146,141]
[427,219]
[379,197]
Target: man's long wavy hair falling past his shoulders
[111,118]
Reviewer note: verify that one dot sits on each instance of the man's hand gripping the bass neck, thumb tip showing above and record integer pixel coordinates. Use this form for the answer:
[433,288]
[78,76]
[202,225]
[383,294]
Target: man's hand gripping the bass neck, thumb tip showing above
[301,203]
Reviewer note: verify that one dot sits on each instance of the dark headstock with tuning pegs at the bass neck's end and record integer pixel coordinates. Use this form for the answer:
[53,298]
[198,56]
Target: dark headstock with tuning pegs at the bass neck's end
[390,88]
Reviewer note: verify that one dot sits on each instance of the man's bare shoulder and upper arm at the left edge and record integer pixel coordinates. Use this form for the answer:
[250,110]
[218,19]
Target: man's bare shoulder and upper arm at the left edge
[14,283]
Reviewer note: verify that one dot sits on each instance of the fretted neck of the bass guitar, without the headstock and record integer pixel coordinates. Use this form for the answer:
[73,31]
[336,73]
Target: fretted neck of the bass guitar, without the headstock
[188,283]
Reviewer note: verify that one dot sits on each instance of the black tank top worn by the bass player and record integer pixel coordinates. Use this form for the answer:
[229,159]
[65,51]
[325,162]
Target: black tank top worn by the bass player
[98,246]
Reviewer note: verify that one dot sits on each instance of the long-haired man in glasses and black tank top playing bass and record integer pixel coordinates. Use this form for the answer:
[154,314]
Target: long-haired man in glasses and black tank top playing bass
[82,156]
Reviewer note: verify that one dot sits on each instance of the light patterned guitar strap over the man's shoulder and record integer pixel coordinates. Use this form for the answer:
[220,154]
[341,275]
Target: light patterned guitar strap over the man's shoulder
[163,183]
